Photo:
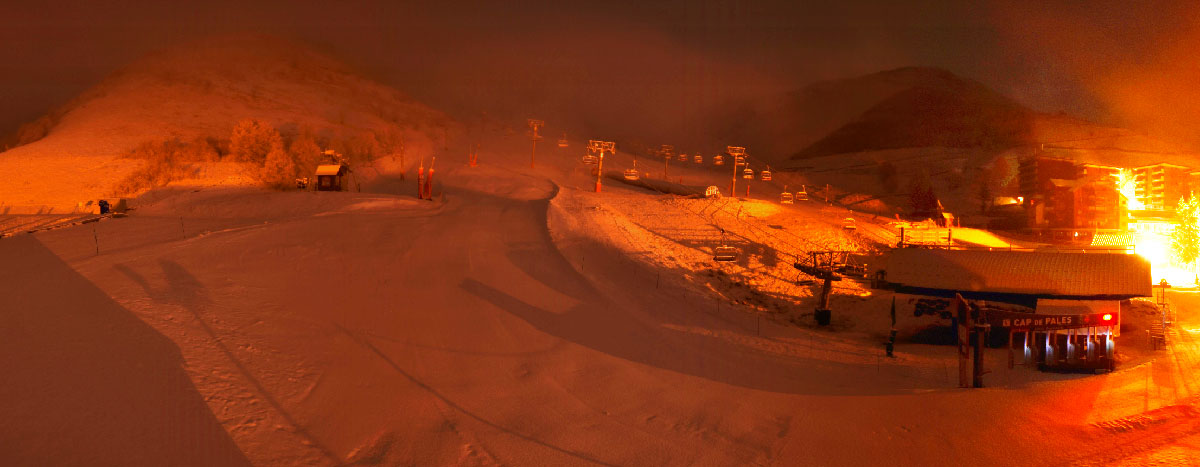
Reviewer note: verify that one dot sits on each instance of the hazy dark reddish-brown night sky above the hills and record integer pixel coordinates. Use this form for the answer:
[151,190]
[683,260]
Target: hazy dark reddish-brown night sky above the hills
[643,63]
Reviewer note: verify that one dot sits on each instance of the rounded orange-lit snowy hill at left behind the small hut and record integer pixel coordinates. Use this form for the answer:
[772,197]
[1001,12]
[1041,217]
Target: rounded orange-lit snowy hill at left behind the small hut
[202,89]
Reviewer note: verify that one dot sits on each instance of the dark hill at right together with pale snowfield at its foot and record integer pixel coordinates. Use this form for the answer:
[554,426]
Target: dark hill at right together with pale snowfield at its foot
[874,136]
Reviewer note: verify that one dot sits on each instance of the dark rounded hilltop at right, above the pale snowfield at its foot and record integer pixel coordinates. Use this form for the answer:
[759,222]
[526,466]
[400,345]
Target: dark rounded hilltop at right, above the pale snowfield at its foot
[916,107]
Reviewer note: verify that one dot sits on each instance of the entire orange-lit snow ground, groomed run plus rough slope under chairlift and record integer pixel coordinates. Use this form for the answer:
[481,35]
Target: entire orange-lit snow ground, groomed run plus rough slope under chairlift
[519,319]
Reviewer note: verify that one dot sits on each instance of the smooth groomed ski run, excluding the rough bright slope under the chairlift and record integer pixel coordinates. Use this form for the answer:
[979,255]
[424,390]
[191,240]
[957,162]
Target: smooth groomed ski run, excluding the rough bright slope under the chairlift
[338,328]
